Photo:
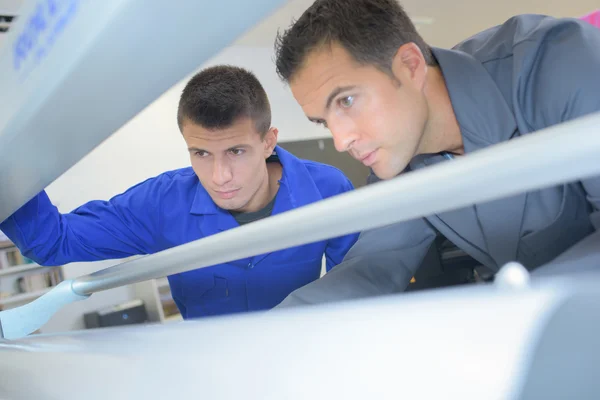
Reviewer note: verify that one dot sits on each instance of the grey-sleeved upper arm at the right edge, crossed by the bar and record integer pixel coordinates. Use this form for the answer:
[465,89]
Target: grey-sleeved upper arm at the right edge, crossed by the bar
[564,84]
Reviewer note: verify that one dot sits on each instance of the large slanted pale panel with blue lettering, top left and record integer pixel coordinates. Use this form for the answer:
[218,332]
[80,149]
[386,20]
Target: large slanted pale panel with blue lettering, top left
[67,64]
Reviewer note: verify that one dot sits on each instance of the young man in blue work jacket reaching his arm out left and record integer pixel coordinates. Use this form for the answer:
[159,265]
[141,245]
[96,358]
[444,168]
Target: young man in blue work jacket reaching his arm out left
[238,176]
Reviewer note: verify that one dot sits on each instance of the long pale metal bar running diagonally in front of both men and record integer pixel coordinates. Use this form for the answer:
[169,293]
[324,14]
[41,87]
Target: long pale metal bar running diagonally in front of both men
[564,153]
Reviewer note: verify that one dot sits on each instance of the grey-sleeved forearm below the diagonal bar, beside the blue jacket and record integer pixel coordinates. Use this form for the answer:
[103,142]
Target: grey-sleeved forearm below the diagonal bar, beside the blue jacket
[382,261]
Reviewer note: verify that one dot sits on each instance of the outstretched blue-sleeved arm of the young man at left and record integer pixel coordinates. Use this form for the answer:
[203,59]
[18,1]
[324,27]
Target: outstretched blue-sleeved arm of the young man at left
[98,230]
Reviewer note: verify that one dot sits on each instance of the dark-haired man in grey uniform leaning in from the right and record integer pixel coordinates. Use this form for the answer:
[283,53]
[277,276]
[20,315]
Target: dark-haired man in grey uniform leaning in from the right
[396,104]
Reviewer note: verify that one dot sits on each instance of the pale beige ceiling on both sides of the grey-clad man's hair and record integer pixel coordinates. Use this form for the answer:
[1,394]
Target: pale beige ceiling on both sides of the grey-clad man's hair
[453,21]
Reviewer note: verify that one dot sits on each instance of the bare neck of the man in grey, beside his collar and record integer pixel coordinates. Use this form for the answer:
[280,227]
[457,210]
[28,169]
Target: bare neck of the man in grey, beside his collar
[442,131]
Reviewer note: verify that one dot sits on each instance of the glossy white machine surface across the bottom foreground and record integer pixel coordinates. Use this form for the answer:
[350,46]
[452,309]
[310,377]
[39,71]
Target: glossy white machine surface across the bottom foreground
[469,343]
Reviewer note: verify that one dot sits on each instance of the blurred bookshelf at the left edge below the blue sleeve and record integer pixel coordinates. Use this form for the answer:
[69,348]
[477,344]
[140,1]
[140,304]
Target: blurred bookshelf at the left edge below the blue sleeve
[22,280]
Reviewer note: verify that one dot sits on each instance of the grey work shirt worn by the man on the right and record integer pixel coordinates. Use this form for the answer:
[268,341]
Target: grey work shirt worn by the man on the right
[511,80]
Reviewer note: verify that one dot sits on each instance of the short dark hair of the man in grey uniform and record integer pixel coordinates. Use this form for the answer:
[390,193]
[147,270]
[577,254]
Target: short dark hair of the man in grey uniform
[370,30]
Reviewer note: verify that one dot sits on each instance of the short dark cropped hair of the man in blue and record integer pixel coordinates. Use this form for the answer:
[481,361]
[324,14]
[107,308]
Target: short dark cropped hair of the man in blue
[217,97]
